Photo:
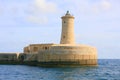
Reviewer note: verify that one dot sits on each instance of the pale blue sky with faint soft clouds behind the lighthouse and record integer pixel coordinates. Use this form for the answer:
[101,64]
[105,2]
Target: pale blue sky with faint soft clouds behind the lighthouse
[24,22]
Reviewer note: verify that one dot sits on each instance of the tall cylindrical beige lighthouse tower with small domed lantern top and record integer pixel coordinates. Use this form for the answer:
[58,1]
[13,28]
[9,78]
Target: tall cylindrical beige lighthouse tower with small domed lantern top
[67,35]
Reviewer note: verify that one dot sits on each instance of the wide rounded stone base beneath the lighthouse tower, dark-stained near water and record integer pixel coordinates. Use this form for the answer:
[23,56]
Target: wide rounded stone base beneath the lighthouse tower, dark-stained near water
[68,55]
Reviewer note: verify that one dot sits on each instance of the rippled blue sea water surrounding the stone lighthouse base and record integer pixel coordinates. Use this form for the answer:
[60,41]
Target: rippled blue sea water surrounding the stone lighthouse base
[106,70]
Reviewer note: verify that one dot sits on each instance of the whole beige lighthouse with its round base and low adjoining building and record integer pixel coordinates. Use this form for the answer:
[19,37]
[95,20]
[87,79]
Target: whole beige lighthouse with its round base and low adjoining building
[67,53]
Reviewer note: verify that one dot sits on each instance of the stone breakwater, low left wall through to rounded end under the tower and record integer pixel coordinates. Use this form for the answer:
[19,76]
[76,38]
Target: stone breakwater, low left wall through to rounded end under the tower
[55,55]
